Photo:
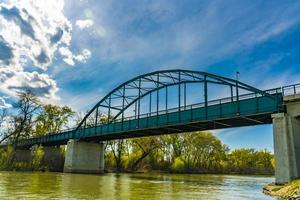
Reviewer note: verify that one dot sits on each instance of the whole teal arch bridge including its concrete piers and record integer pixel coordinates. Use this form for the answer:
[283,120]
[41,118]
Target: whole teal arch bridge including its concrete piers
[174,101]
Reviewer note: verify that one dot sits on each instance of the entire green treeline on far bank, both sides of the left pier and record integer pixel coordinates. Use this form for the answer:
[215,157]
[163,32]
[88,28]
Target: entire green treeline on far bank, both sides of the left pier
[197,152]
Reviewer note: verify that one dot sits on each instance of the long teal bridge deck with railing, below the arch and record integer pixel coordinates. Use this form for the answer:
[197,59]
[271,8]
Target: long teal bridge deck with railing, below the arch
[226,113]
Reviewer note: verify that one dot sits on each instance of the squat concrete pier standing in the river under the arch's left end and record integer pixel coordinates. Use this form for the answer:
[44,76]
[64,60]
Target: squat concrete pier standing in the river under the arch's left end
[84,157]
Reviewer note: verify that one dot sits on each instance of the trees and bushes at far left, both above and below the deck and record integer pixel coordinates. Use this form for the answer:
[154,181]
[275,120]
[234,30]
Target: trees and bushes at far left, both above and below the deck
[29,118]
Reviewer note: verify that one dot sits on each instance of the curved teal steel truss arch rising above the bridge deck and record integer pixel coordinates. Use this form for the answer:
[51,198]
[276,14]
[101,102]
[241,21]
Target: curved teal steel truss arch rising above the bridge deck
[132,91]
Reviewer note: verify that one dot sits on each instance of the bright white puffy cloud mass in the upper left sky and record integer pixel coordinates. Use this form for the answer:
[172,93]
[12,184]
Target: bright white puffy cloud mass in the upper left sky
[31,34]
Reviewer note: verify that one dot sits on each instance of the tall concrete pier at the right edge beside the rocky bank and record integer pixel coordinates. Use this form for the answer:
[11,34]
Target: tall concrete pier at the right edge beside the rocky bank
[286,133]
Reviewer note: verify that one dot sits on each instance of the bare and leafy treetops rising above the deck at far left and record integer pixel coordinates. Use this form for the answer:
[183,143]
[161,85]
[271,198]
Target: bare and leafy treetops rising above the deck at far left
[32,118]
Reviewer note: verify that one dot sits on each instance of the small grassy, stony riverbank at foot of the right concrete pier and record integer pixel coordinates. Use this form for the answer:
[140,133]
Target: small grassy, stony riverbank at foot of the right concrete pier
[289,191]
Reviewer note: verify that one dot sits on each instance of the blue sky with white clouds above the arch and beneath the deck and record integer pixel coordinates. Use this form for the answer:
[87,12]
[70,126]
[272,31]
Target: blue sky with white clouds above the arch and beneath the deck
[71,52]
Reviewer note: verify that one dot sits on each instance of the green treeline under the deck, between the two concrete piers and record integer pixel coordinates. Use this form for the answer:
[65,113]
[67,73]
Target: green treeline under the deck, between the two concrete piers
[197,152]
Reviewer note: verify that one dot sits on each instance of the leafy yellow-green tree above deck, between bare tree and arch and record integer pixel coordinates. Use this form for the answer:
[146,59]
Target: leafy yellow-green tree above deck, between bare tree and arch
[52,119]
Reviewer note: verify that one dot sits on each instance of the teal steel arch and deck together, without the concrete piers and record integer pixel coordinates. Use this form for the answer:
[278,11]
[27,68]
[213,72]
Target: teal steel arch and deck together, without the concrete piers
[163,102]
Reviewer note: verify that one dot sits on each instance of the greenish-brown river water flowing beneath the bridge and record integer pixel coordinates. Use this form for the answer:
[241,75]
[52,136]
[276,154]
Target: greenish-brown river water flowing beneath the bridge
[15,185]
